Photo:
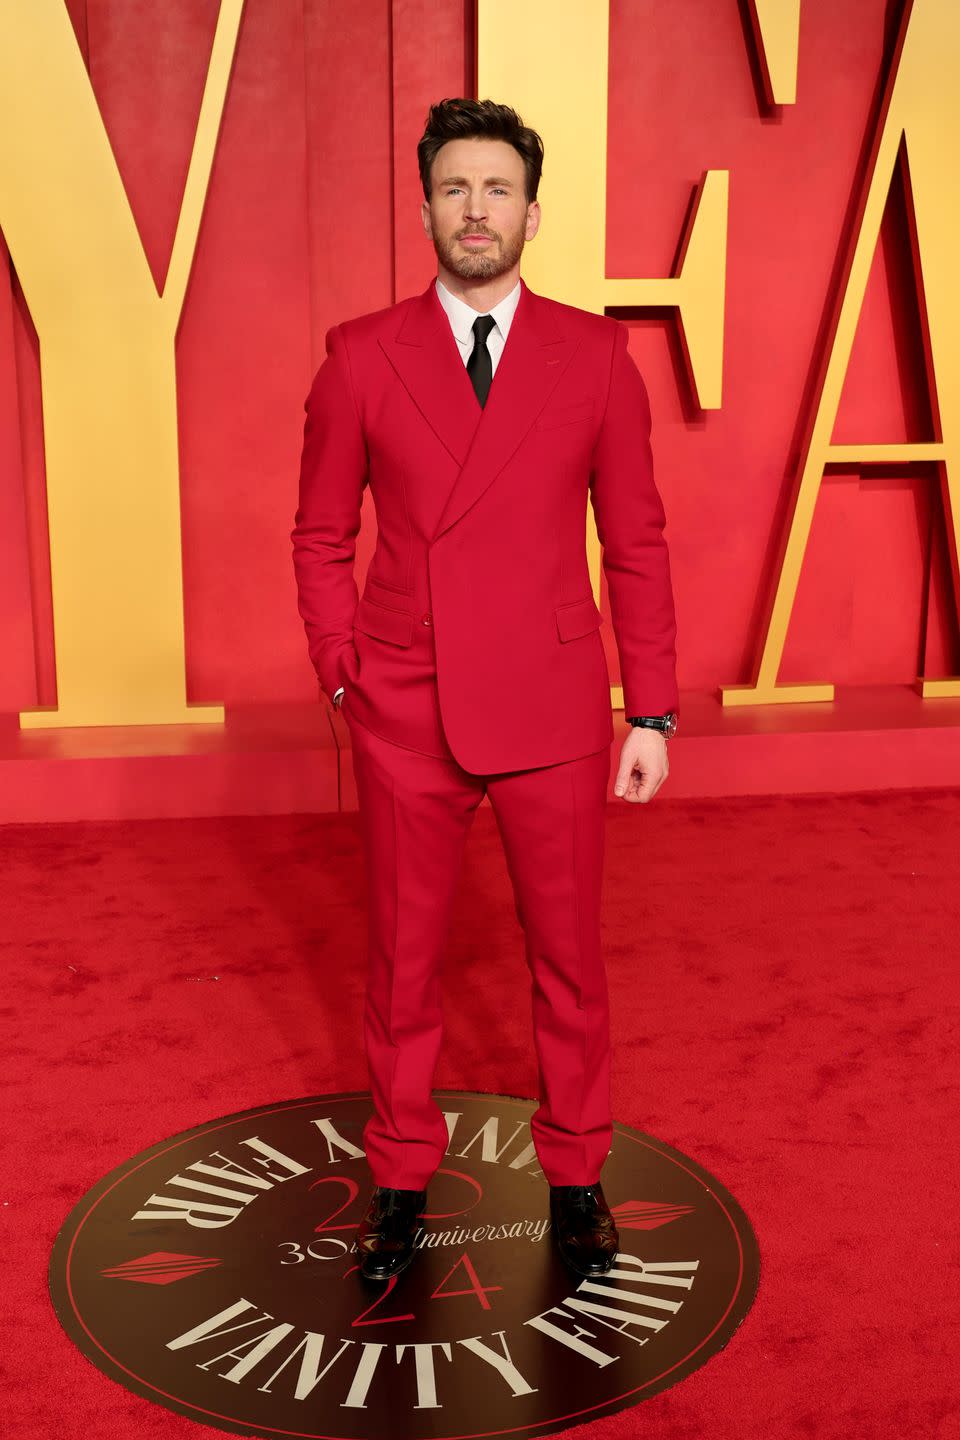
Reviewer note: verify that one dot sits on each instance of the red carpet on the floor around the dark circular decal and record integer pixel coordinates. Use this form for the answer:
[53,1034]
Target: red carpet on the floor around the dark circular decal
[785,994]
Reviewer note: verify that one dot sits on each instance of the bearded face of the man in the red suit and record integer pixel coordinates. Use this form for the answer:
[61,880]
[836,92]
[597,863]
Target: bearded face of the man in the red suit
[479,191]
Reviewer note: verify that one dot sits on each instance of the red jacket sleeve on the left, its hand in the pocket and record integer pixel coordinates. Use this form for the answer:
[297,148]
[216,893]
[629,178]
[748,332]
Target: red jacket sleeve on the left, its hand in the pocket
[333,474]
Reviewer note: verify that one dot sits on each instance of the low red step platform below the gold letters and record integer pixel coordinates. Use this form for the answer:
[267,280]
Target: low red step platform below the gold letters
[296,758]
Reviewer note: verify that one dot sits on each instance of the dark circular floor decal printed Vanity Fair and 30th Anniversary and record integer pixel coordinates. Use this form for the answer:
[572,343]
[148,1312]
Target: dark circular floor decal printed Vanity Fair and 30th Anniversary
[217,1275]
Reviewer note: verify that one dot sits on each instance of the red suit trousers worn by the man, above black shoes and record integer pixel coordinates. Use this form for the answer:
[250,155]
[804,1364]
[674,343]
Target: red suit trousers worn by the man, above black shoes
[415,813]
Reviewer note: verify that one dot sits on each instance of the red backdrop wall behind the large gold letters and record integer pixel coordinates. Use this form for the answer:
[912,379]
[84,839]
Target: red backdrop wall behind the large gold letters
[313,217]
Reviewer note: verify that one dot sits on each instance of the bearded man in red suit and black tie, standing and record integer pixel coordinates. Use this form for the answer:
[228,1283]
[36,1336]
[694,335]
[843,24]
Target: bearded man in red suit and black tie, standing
[483,415]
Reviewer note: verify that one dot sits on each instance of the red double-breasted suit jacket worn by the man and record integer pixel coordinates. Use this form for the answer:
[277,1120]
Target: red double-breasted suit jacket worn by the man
[477,634]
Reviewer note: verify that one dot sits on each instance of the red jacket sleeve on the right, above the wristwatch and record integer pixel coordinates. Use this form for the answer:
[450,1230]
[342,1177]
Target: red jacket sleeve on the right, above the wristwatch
[630,519]
